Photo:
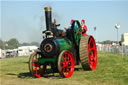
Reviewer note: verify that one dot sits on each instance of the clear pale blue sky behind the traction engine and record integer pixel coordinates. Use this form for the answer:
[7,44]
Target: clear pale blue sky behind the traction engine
[25,20]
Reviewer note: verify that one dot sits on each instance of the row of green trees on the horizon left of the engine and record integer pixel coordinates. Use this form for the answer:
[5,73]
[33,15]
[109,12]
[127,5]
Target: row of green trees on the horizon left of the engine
[14,43]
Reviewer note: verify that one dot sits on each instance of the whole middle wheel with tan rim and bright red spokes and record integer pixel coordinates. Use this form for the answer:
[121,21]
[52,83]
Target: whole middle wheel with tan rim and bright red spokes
[66,64]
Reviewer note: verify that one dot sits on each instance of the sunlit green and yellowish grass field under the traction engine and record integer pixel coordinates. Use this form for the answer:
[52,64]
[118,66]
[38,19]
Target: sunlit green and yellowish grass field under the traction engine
[111,70]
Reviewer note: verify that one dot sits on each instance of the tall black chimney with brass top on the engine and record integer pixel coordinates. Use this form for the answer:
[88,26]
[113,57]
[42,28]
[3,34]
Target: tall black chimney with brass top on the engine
[48,18]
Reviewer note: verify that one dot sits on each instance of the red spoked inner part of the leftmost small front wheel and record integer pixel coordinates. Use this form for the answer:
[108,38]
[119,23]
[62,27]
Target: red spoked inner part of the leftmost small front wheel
[38,69]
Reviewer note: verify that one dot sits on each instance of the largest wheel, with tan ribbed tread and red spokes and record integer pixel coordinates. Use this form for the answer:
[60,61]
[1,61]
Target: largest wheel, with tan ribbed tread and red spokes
[88,53]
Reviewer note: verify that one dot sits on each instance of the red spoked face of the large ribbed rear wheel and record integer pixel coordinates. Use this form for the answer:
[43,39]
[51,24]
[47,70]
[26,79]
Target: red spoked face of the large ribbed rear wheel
[92,53]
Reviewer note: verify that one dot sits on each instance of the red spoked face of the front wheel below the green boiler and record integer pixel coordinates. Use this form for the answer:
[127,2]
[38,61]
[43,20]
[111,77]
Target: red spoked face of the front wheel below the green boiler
[67,64]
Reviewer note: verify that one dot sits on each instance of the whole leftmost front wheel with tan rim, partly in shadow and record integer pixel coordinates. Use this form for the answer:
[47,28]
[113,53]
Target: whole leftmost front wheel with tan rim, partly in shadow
[36,68]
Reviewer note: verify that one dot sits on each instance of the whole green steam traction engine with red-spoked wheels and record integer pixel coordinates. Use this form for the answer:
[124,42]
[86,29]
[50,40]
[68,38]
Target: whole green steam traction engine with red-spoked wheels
[63,50]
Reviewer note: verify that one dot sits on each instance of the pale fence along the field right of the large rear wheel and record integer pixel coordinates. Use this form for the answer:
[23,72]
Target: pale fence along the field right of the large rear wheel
[114,49]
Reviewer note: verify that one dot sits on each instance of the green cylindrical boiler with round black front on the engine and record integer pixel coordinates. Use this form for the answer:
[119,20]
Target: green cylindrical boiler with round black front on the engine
[51,47]
